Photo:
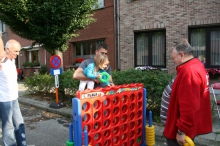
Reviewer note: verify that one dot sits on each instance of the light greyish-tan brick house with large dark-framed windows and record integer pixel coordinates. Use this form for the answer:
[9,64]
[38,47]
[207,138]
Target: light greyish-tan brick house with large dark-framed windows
[149,28]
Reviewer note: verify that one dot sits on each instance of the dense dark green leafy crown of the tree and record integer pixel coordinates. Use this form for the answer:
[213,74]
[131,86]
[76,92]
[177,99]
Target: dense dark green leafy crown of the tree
[49,22]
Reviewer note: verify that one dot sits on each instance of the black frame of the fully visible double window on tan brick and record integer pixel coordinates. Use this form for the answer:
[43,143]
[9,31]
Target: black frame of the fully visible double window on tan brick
[150,51]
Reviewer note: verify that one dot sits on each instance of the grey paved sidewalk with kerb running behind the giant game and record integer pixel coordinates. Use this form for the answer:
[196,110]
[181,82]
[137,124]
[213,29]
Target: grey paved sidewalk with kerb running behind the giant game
[211,139]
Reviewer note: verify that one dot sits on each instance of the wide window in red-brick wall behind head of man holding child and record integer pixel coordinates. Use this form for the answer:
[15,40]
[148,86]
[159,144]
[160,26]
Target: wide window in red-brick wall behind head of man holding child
[86,49]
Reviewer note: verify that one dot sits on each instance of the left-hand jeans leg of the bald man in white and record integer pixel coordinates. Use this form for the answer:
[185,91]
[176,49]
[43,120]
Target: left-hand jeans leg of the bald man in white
[8,136]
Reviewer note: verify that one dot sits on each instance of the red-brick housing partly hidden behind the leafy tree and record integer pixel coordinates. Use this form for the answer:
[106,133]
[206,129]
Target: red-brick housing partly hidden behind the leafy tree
[102,30]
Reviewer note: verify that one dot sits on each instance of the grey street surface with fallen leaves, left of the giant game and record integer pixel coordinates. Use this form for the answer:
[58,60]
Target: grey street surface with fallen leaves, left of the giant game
[43,128]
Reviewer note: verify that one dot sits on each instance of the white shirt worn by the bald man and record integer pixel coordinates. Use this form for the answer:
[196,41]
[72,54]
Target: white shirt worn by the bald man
[8,81]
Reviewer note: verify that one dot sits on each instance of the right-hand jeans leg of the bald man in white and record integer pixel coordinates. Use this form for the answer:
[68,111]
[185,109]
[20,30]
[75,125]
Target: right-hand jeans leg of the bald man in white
[18,124]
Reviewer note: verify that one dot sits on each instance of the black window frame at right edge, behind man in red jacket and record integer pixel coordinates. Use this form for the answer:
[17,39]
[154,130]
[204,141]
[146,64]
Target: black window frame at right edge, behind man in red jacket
[207,42]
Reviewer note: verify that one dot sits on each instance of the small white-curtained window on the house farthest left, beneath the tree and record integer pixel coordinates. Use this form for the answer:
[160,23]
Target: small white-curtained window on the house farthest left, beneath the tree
[32,56]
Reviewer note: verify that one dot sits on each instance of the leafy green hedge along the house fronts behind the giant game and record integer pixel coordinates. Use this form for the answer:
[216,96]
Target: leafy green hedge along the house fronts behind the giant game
[154,81]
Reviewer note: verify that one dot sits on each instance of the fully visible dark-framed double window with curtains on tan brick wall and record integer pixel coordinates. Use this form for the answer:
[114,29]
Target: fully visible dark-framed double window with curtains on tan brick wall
[150,48]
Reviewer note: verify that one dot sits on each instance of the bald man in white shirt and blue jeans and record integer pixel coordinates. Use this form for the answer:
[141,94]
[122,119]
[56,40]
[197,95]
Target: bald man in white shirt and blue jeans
[13,129]
